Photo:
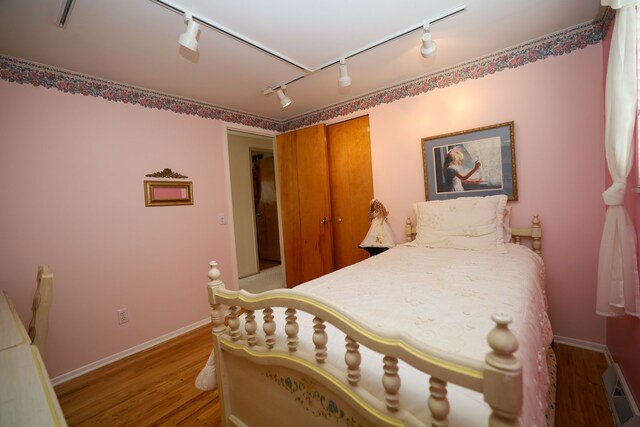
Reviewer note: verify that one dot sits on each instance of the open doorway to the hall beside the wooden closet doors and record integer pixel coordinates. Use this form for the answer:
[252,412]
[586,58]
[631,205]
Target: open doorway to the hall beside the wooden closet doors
[255,211]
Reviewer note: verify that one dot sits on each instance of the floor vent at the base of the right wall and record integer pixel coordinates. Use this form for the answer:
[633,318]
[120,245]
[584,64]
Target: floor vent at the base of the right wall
[625,411]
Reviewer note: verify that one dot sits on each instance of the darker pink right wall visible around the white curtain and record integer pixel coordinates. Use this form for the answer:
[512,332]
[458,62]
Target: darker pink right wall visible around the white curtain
[623,334]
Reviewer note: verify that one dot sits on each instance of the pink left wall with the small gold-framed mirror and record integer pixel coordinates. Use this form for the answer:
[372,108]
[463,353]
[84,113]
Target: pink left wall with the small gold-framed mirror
[71,184]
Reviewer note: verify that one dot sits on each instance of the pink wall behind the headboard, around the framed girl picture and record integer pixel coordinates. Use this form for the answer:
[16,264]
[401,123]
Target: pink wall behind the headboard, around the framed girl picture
[557,107]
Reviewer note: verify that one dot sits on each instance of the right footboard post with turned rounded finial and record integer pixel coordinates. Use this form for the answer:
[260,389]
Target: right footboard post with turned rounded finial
[503,377]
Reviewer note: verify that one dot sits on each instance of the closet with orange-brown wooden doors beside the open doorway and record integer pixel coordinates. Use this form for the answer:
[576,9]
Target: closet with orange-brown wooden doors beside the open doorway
[326,184]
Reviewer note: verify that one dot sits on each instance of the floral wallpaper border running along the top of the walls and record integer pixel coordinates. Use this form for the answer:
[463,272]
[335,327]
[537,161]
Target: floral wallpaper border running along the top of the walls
[561,43]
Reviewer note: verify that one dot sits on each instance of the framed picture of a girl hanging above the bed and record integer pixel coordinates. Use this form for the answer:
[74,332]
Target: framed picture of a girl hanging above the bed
[474,162]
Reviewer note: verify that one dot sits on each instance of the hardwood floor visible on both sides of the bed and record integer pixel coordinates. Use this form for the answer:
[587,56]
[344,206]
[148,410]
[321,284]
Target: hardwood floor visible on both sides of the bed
[155,387]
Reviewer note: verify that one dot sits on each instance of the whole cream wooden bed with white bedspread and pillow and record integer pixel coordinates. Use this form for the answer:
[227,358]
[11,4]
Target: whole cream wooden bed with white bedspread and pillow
[449,328]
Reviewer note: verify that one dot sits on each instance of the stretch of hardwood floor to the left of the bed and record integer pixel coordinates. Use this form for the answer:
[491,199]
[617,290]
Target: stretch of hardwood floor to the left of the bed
[153,387]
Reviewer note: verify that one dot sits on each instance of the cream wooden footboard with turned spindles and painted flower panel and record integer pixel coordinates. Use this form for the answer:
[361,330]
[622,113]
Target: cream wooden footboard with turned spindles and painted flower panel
[266,379]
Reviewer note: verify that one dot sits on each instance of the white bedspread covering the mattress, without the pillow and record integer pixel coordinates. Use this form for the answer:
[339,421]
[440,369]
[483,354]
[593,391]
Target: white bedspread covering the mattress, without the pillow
[445,298]
